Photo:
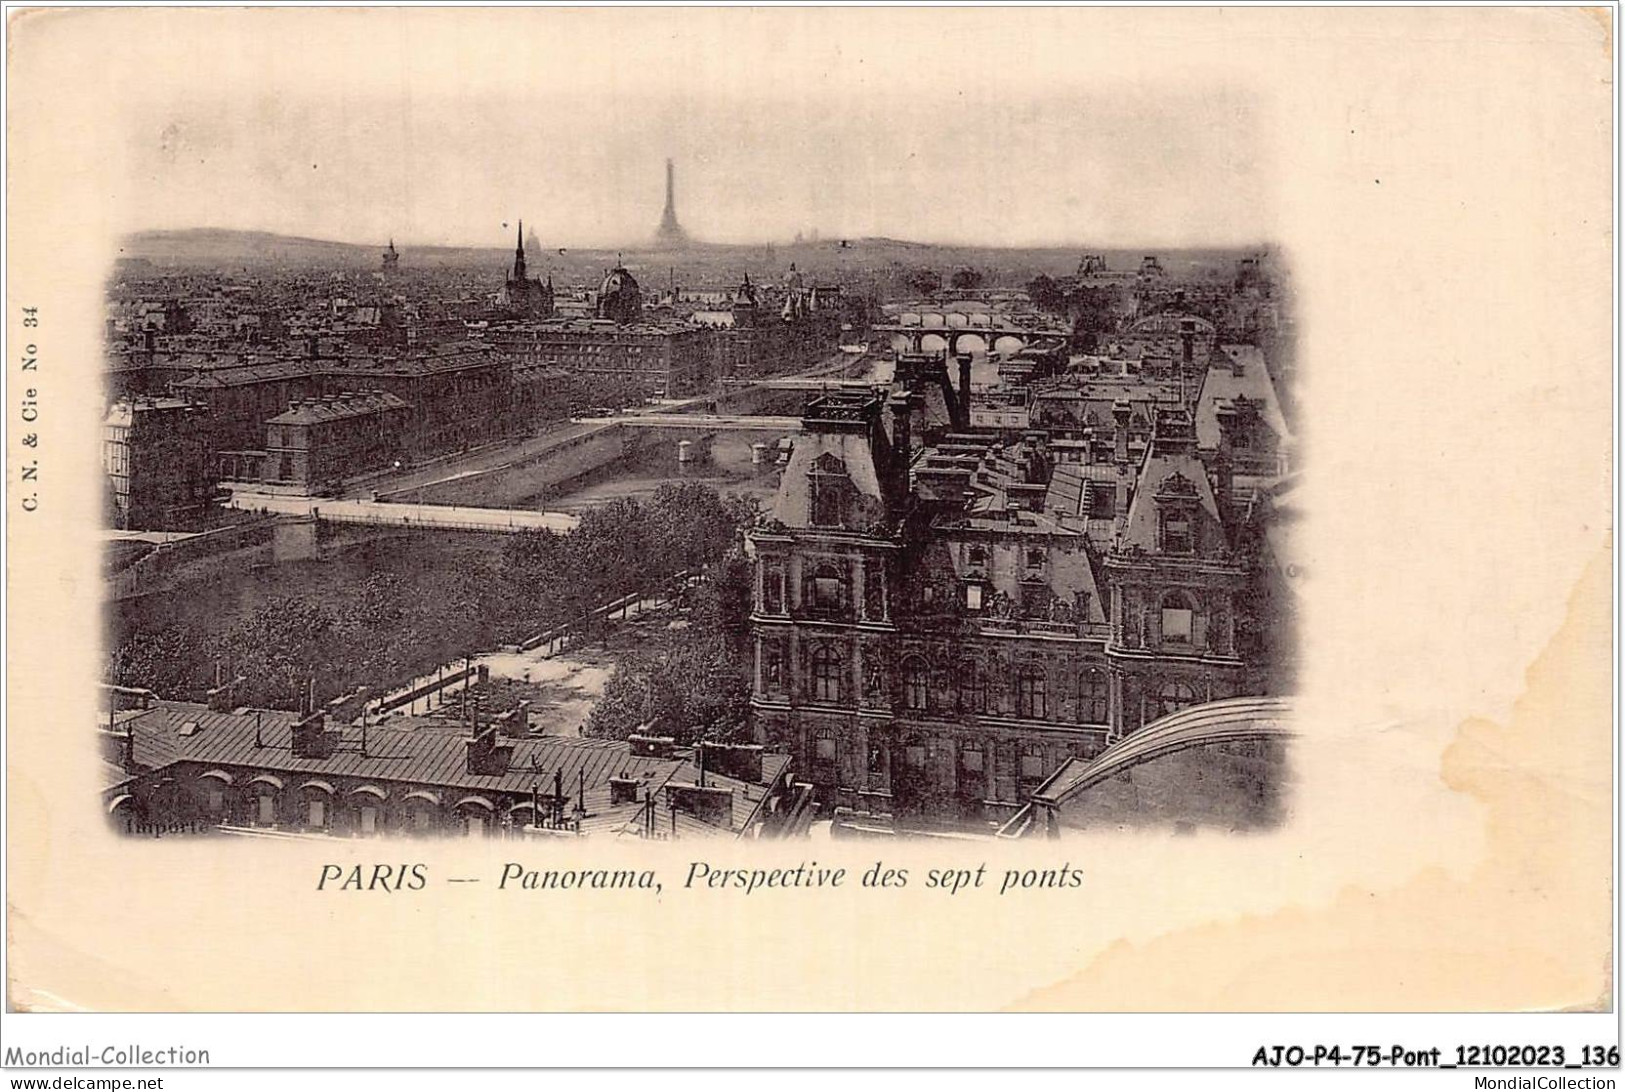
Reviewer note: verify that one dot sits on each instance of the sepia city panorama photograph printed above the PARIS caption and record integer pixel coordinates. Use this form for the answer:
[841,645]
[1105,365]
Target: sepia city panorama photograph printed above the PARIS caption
[779,501]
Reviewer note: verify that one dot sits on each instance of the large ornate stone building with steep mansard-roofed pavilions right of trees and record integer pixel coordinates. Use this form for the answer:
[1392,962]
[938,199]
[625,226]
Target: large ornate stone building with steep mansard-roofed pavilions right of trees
[935,636]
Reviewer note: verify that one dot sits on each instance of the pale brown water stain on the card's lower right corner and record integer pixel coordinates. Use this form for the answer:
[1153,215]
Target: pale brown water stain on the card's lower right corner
[1528,930]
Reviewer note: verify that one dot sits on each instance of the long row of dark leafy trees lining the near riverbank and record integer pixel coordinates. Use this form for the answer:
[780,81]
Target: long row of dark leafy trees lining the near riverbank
[420,607]
